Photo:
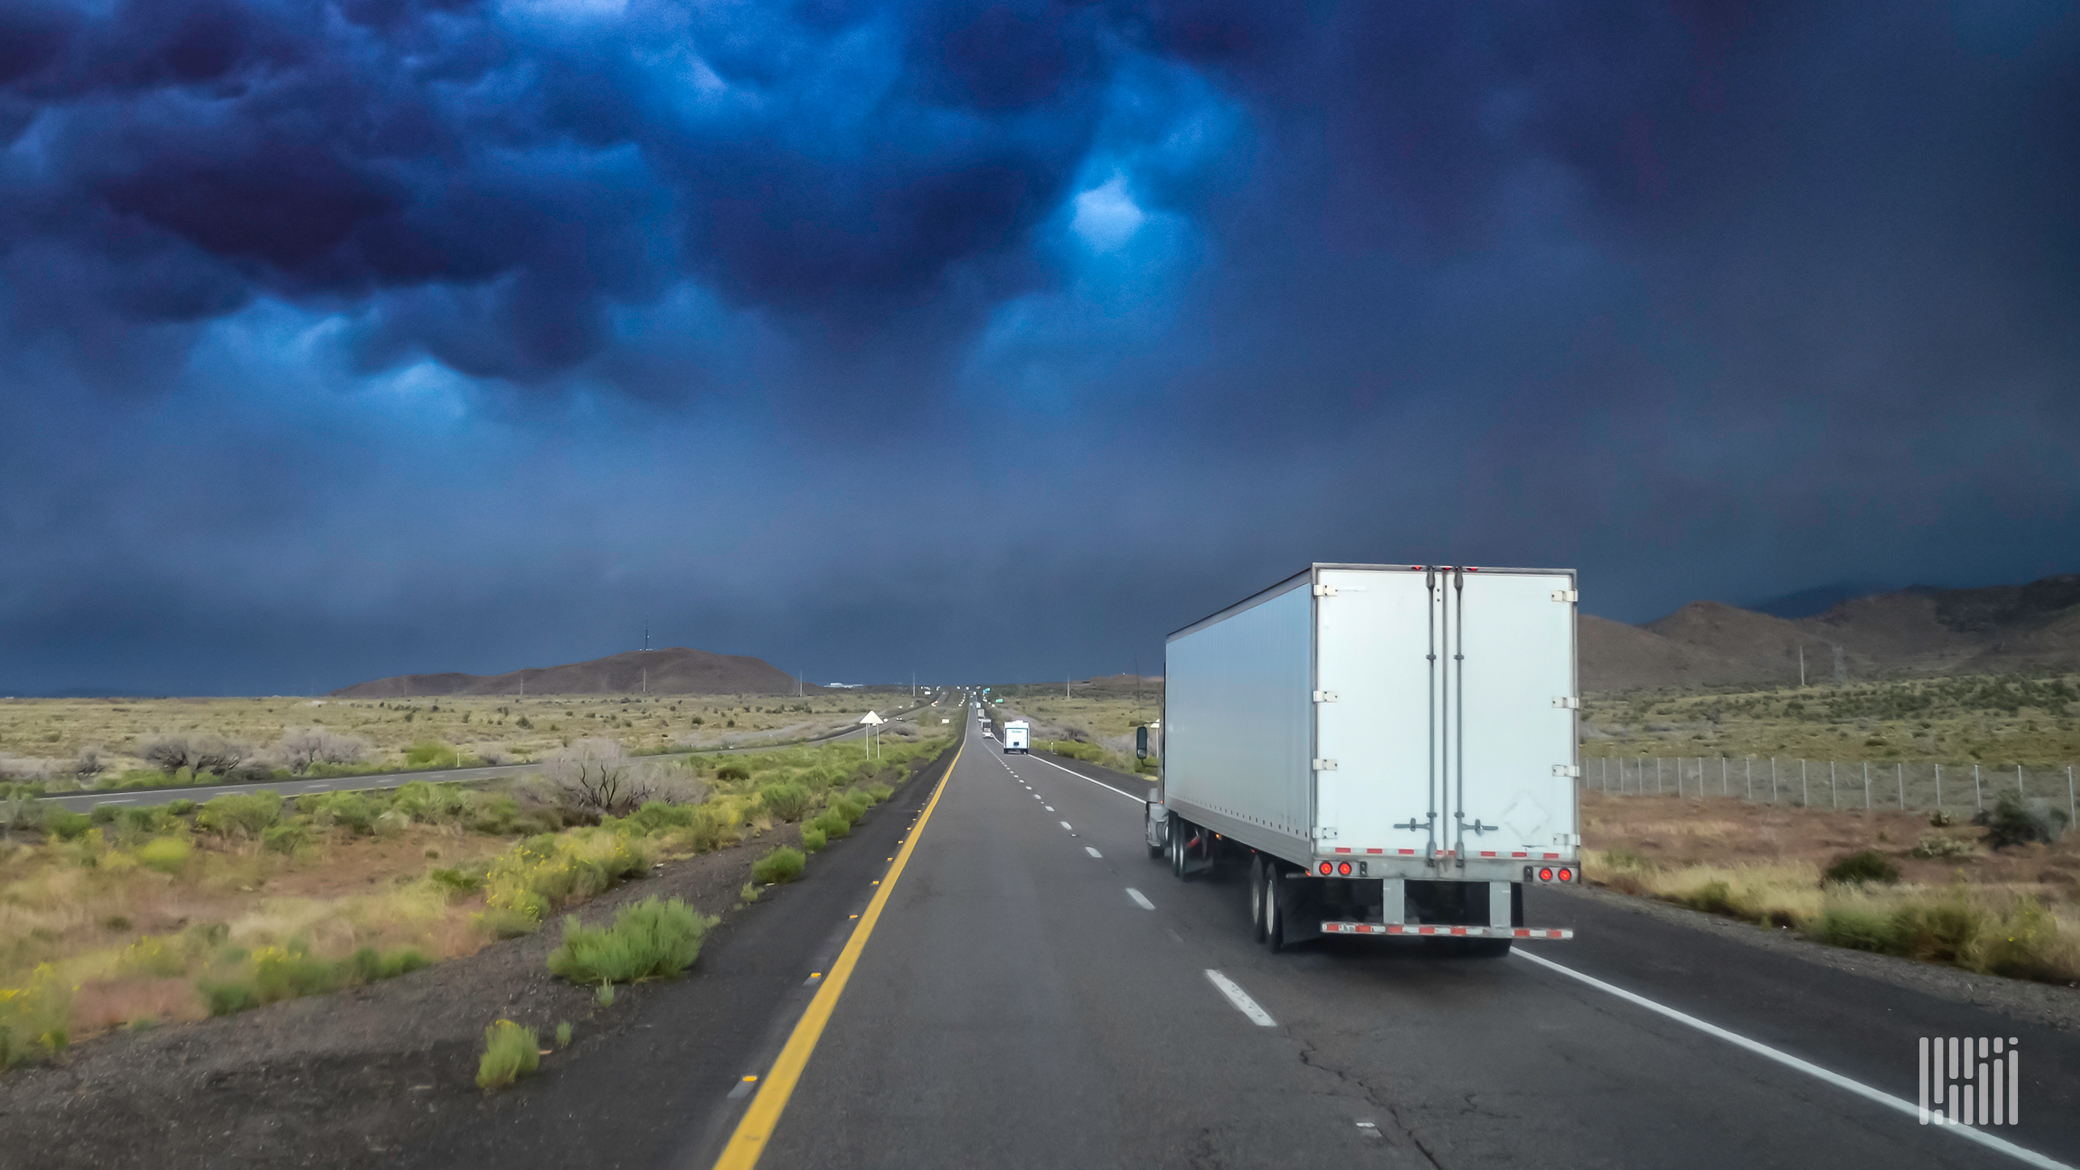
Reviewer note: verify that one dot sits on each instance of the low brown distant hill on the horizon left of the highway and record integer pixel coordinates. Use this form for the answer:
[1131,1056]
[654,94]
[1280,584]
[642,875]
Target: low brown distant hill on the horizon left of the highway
[673,671]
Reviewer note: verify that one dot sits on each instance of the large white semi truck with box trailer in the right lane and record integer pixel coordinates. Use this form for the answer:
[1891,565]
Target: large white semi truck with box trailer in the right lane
[1390,748]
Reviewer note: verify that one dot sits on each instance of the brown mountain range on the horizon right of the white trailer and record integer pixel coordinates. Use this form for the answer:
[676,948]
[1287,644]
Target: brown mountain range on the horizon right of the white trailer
[1913,632]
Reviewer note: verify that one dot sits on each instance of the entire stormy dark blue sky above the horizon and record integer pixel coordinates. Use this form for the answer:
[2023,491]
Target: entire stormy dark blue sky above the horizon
[997,340]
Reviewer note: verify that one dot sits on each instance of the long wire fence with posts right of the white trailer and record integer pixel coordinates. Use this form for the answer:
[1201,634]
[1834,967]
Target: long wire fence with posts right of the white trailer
[1829,784]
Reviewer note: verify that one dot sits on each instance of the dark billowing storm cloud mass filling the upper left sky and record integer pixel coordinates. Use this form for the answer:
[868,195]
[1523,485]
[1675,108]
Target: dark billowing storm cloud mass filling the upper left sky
[565,163]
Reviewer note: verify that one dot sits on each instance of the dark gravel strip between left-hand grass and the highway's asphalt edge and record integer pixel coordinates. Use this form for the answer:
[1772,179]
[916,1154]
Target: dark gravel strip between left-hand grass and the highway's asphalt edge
[319,1082]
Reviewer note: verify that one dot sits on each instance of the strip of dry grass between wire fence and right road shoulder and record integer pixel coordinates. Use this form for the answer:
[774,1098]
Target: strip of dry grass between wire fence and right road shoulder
[2010,913]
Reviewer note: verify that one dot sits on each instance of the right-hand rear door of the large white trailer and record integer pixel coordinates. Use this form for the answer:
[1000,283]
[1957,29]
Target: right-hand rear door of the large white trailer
[1509,713]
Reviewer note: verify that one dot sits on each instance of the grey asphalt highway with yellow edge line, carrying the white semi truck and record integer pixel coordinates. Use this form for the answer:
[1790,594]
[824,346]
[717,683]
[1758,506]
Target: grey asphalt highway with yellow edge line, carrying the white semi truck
[1037,992]
